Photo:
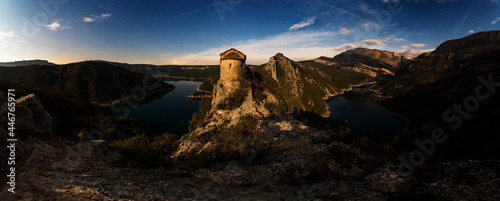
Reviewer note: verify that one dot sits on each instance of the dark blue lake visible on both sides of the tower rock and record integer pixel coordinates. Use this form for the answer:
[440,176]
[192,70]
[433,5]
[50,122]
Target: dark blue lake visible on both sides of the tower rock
[170,112]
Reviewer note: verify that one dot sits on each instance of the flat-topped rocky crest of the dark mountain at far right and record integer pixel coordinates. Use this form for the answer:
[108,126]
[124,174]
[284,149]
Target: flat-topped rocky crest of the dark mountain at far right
[481,39]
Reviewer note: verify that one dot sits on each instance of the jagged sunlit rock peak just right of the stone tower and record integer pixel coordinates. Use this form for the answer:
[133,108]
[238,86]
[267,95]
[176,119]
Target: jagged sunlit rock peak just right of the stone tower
[298,86]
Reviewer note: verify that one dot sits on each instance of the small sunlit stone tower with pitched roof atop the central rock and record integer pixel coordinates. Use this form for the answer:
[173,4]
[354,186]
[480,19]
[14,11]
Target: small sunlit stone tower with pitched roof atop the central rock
[232,65]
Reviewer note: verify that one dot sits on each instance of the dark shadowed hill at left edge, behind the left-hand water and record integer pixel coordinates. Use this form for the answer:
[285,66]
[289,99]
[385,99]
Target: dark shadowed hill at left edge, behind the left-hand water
[94,82]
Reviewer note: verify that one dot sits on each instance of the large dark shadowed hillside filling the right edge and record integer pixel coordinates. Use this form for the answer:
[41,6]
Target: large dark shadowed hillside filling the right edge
[437,83]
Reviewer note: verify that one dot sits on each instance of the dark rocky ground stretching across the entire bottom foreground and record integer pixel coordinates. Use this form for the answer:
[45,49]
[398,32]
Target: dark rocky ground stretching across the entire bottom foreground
[58,169]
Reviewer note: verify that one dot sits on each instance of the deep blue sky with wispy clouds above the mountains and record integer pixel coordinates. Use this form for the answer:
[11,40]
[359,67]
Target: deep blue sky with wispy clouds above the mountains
[195,32]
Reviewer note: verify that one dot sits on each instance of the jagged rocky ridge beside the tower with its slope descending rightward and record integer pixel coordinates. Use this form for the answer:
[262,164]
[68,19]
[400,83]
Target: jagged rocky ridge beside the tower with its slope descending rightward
[305,86]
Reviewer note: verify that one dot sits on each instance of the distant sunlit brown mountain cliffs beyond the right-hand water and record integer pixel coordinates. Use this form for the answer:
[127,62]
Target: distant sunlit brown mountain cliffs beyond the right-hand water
[369,61]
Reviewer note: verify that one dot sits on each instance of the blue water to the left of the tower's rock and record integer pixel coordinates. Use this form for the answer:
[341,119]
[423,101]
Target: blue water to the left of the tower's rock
[169,112]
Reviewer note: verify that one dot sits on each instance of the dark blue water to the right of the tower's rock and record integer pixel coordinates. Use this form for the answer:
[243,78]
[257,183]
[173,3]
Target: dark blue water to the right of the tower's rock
[366,118]
